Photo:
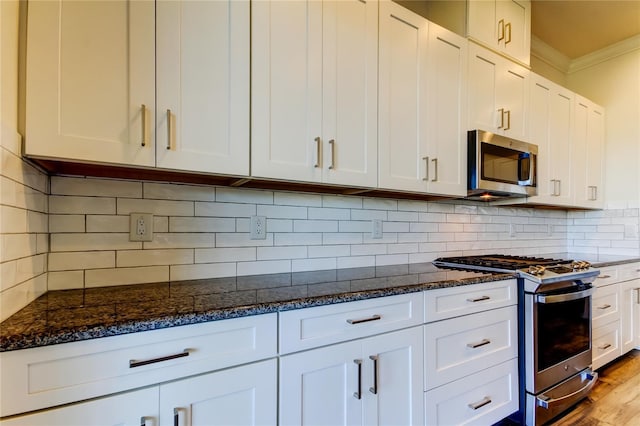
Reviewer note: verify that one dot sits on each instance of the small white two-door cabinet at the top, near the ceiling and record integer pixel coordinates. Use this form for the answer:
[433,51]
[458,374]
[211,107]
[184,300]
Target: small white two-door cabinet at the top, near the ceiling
[502,25]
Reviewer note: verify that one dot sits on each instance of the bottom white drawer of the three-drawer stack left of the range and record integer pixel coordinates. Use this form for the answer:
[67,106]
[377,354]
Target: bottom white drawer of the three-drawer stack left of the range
[480,399]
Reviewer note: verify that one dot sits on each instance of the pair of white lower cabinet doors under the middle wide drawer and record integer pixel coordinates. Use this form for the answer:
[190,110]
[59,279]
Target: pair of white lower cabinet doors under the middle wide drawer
[371,381]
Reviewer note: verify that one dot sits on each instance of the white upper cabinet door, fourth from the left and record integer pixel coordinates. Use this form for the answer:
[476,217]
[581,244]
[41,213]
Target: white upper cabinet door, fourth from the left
[350,92]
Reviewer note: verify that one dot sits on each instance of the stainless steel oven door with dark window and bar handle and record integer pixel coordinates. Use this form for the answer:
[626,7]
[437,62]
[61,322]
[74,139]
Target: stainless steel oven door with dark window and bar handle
[558,336]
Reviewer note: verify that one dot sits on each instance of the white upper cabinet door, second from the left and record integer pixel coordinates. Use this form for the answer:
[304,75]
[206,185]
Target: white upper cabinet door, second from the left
[203,86]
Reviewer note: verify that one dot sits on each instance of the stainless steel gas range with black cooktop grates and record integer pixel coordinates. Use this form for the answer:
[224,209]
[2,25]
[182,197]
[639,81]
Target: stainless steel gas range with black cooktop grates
[554,309]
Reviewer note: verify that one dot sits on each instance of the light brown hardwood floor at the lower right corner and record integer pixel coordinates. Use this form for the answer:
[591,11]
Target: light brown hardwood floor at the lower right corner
[614,400]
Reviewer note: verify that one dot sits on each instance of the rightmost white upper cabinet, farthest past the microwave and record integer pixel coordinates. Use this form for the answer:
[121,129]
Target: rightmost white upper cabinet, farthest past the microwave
[588,150]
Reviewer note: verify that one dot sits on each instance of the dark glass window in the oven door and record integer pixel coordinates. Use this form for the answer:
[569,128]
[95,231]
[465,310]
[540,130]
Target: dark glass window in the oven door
[564,330]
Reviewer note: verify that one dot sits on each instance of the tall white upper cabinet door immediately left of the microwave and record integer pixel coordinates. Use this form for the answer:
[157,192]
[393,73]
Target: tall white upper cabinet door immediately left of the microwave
[447,147]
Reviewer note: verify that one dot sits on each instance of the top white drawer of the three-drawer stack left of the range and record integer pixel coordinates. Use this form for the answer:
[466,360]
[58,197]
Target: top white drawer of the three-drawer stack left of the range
[455,301]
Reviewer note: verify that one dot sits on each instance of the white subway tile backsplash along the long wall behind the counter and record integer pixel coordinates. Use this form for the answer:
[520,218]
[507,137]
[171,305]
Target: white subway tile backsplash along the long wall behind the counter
[203,232]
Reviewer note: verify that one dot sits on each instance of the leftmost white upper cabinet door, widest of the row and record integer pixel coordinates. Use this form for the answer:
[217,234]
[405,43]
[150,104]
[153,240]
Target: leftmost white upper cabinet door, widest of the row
[90,81]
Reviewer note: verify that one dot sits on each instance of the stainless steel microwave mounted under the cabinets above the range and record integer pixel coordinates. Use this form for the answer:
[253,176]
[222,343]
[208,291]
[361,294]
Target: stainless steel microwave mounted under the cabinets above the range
[500,167]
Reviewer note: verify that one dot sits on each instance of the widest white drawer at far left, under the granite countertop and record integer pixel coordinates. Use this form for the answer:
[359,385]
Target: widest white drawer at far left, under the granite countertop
[52,375]
